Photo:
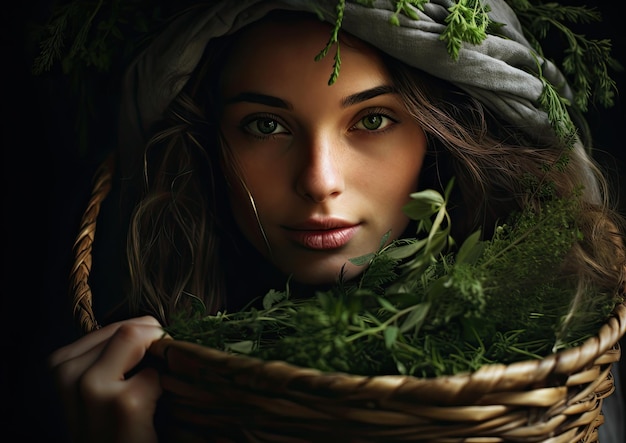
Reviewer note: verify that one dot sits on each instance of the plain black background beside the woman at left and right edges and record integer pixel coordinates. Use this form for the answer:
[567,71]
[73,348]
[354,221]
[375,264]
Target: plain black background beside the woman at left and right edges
[46,179]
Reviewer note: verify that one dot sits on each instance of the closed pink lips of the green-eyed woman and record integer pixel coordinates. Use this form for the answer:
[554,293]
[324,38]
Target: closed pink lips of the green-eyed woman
[322,234]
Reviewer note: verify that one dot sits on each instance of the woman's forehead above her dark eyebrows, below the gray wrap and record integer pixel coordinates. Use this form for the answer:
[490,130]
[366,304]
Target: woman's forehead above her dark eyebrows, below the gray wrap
[279,51]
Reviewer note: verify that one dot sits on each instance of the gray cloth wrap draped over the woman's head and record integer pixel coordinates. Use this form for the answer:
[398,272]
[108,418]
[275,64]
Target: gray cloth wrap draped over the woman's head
[502,72]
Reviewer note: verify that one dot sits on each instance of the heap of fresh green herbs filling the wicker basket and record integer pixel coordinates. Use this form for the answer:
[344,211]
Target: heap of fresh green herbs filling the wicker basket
[422,307]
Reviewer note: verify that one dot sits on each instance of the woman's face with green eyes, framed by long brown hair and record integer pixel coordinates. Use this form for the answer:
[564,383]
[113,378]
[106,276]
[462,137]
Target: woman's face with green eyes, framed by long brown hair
[328,168]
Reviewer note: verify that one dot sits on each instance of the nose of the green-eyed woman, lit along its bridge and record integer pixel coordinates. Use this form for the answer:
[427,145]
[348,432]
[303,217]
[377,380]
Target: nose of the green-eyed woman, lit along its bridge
[321,174]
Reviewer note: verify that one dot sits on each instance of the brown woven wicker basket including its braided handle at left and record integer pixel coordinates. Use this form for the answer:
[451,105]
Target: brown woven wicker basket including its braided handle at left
[210,395]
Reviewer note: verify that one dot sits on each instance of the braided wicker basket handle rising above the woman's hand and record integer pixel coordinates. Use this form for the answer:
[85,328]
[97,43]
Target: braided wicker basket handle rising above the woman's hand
[80,291]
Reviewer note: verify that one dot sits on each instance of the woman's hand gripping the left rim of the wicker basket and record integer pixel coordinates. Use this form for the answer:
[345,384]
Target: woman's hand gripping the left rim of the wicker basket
[102,402]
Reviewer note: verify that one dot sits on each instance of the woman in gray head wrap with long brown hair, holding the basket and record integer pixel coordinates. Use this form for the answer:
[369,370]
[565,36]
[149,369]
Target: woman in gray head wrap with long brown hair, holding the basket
[256,169]
